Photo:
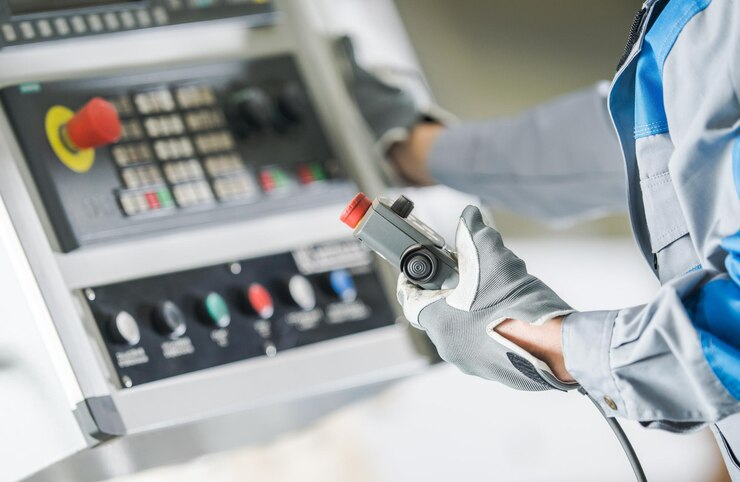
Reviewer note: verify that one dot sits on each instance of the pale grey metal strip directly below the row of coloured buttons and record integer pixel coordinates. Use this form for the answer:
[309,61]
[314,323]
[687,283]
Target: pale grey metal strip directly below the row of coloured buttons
[351,361]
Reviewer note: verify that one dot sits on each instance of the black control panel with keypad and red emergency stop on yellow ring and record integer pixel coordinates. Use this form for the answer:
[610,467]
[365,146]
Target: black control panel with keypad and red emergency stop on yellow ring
[142,153]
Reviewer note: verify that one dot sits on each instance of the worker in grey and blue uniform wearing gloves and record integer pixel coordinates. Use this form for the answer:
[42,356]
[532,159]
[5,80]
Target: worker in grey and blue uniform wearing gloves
[673,363]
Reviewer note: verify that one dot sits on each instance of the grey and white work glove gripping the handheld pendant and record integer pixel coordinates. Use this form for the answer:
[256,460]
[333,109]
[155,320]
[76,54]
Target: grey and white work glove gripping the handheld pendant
[494,286]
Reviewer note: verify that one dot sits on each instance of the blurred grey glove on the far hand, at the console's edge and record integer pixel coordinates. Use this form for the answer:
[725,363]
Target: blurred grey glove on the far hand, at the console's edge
[389,110]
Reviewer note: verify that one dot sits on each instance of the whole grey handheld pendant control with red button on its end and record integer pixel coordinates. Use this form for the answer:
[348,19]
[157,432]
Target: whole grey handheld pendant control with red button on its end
[388,228]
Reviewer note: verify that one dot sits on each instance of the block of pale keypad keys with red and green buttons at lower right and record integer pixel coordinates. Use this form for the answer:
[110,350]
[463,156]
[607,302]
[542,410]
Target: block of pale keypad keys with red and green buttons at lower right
[175,152]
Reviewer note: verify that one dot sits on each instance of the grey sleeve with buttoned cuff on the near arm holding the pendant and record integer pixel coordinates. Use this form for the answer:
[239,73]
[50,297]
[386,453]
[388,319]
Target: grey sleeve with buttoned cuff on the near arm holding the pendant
[646,363]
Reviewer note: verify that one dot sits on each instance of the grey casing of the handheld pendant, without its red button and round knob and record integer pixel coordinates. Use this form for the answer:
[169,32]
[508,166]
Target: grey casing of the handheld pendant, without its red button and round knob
[391,236]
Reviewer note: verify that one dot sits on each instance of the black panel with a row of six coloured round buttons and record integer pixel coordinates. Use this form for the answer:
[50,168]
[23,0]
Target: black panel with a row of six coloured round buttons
[176,323]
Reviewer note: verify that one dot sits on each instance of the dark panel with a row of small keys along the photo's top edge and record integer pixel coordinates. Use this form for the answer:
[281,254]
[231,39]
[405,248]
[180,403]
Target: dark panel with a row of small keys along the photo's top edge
[30,21]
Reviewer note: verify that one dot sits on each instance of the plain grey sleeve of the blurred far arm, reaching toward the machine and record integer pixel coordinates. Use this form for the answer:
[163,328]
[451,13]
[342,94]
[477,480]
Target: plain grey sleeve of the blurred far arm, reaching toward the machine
[557,161]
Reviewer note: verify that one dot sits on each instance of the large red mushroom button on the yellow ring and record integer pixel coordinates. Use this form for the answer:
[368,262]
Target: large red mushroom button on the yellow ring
[96,124]
